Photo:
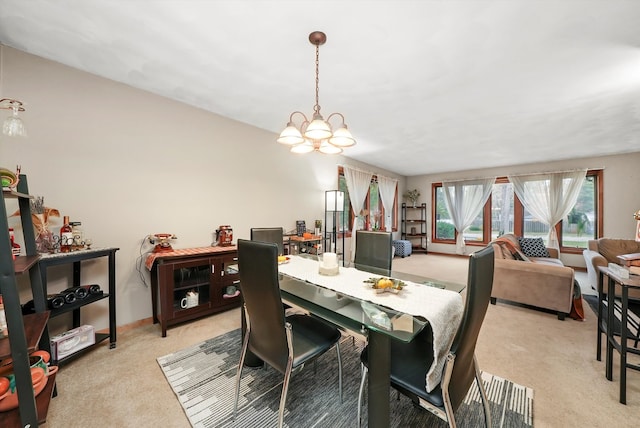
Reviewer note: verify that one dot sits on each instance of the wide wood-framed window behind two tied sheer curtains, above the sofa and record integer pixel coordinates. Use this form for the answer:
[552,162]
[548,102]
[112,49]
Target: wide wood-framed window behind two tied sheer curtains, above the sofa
[508,215]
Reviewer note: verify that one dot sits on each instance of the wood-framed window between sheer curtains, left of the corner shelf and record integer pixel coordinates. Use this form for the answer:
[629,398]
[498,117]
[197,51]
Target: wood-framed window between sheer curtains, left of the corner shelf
[375,214]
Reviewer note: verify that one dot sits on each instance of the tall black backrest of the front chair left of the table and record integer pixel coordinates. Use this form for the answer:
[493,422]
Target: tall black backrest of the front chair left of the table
[258,269]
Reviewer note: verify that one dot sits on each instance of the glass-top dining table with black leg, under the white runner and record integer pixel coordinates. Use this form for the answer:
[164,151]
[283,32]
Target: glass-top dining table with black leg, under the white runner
[380,323]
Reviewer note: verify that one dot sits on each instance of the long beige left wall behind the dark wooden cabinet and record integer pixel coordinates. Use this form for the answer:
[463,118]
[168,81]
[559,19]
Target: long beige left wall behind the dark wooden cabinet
[127,163]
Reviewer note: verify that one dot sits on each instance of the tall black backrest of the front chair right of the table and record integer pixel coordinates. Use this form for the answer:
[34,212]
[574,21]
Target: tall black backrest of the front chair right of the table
[478,293]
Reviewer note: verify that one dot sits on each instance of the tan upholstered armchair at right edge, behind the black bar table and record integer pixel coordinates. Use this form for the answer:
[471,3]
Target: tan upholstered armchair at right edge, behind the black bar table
[601,252]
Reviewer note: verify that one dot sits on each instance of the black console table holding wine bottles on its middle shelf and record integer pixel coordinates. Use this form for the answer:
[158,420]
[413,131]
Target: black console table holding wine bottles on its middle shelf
[75,258]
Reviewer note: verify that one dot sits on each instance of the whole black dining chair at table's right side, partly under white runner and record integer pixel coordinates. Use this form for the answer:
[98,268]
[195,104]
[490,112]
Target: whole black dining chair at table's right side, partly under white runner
[411,361]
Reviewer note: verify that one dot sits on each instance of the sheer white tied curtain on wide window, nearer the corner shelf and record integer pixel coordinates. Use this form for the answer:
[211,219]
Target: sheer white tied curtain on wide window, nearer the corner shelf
[465,200]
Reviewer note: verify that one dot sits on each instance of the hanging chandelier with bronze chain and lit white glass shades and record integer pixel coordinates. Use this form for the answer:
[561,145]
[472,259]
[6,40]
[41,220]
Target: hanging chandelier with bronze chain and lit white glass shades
[317,134]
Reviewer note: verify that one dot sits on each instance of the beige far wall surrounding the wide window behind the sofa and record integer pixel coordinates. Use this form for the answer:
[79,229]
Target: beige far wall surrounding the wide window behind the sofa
[621,179]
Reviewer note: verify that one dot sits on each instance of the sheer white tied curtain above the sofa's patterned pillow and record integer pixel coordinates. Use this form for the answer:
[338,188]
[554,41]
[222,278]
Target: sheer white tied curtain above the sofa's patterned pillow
[549,197]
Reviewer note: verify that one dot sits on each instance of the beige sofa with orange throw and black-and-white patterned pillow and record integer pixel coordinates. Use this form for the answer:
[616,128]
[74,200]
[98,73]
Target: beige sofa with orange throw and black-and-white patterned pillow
[543,282]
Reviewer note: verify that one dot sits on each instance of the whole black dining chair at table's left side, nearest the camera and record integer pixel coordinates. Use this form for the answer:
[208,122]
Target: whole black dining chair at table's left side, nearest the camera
[285,343]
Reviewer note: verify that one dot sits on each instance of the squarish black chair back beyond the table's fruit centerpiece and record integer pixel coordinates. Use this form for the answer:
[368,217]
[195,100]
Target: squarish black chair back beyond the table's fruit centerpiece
[374,250]
